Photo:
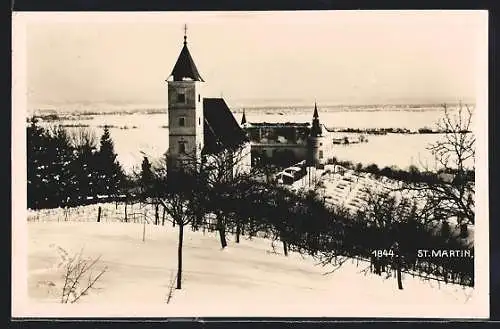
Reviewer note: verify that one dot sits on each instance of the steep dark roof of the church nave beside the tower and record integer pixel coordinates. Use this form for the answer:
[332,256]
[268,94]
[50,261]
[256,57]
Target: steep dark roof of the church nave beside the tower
[221,130]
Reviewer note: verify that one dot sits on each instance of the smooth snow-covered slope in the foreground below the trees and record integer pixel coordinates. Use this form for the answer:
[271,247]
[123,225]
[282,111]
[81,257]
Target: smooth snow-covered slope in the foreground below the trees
[246,279]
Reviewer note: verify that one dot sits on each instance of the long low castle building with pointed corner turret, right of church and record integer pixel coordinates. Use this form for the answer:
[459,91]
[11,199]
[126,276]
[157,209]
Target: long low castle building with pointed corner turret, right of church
[290,142]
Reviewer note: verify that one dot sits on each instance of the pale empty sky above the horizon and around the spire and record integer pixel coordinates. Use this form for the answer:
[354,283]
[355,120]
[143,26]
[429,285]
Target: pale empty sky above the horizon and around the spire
[356,57]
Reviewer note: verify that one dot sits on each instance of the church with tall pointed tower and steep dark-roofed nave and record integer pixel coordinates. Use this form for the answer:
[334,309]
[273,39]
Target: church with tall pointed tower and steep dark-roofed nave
[200,128]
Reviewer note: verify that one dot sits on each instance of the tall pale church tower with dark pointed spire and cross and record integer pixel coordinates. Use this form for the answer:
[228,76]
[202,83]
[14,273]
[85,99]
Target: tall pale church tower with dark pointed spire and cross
[185,111]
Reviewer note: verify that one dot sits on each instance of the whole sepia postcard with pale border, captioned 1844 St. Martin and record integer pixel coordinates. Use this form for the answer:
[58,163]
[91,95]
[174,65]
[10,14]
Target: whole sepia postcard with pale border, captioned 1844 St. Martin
[243,164]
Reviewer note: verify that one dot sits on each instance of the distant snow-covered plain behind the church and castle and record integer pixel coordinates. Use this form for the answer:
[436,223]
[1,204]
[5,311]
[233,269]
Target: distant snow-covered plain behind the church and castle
[392,149]
